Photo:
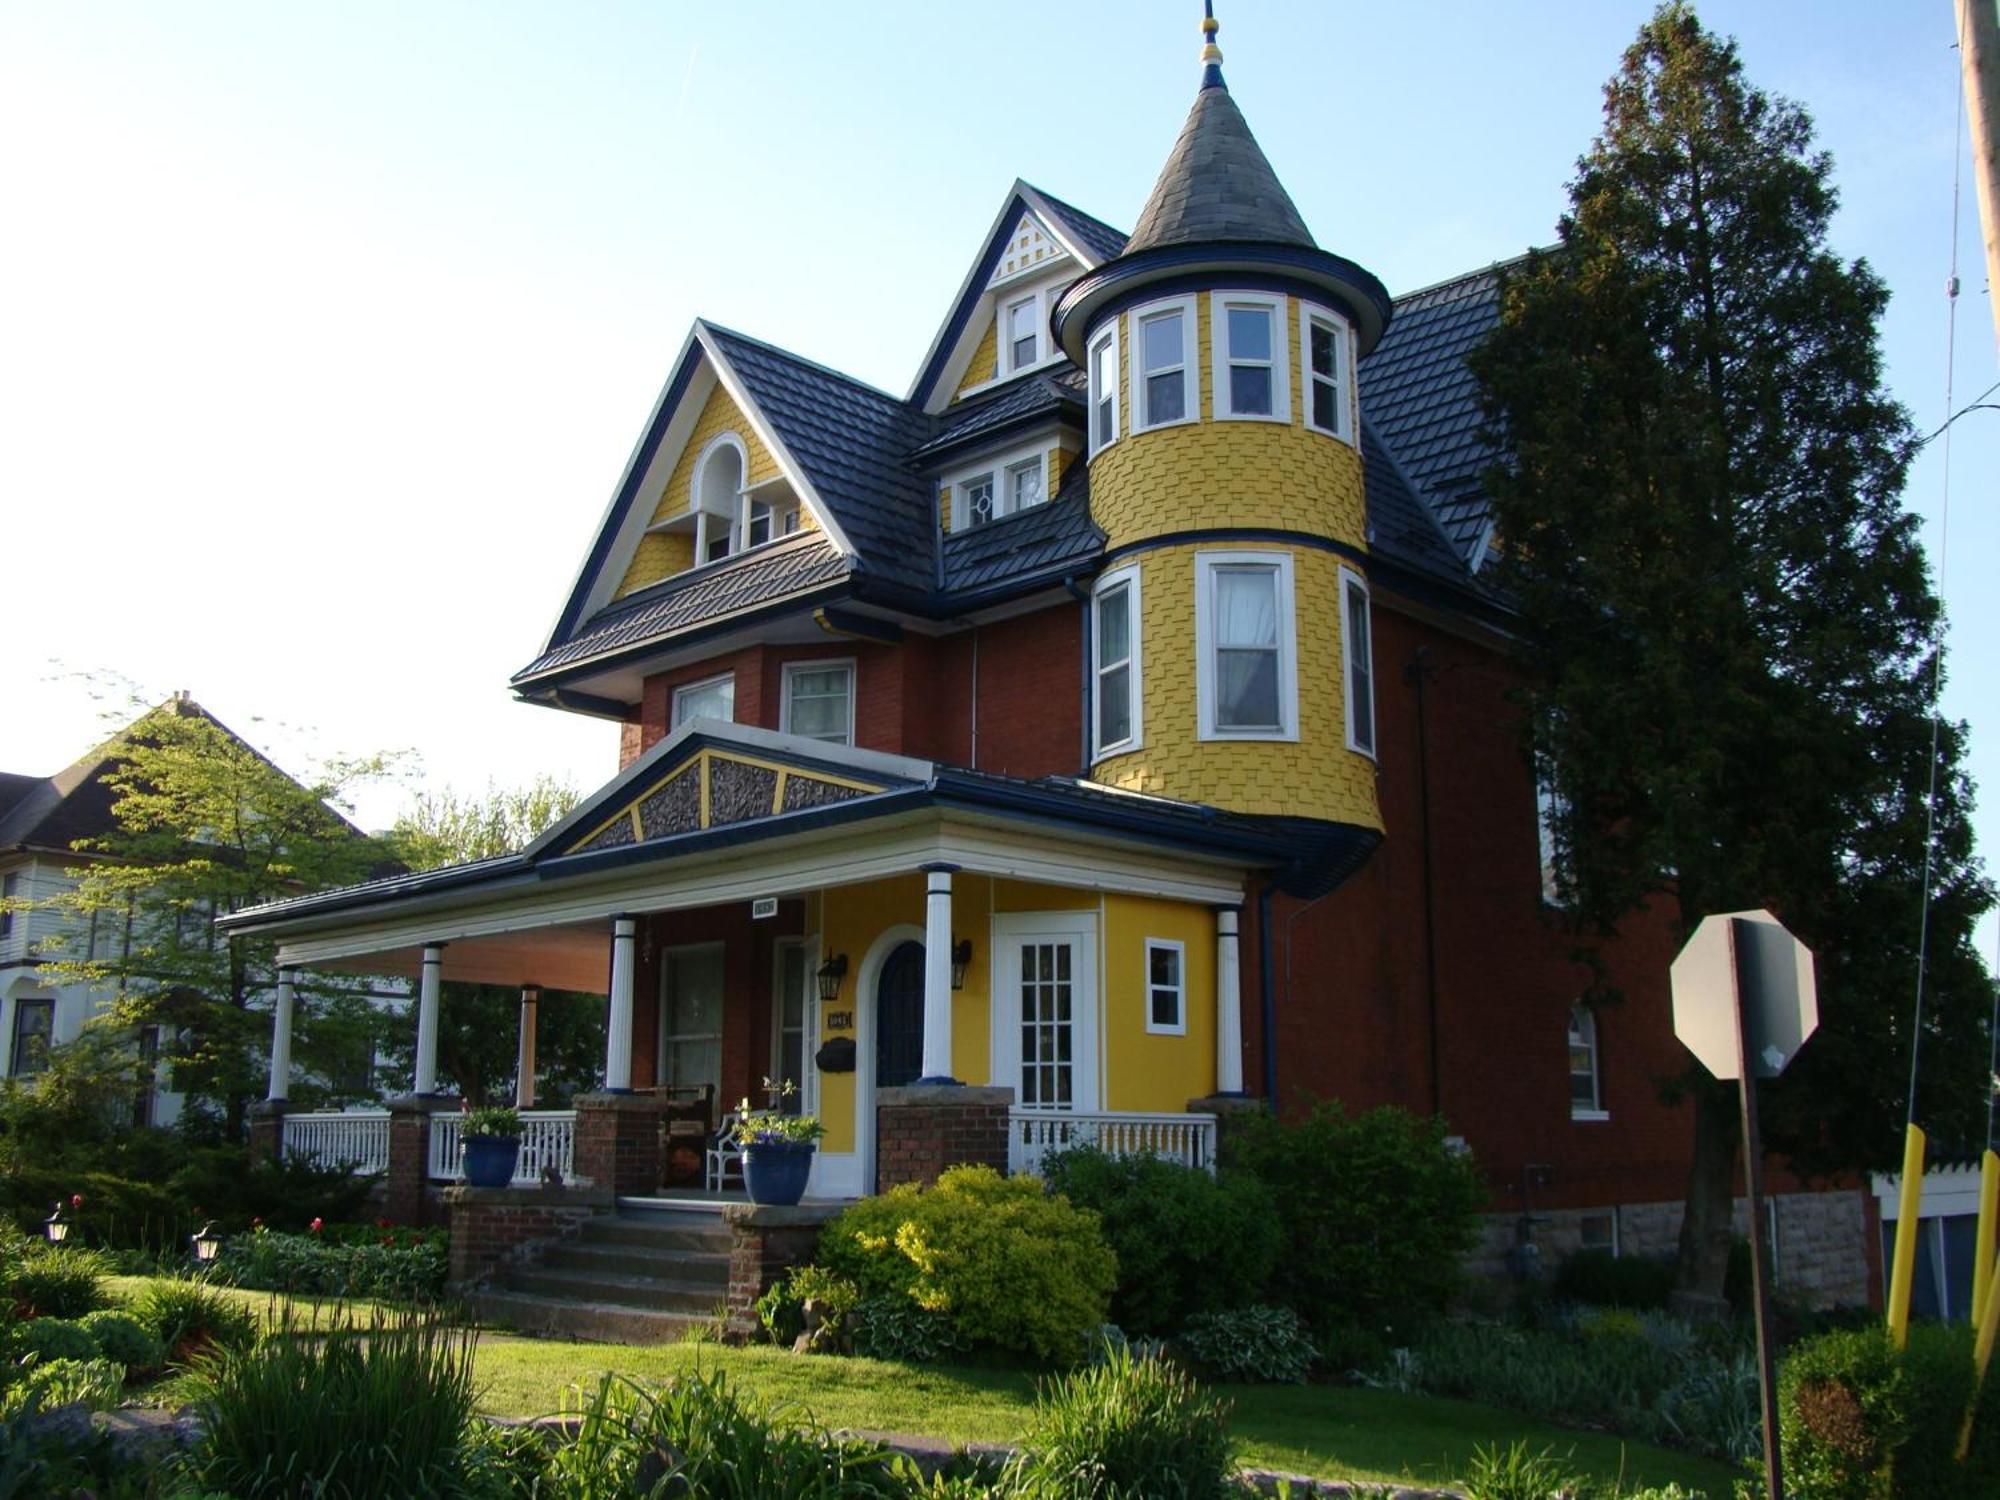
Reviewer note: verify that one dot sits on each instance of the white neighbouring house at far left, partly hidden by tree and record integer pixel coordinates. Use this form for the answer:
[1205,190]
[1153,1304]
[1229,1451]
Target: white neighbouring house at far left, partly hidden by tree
[41,823]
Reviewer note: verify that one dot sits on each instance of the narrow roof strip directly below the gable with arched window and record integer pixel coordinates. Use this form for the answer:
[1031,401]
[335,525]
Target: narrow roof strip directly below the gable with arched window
[769,573]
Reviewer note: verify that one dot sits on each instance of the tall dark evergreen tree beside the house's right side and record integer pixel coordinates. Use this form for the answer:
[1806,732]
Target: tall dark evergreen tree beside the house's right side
[1731,627]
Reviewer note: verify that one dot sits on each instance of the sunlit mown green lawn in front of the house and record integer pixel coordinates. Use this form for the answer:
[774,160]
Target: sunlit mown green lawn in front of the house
[1323,1431]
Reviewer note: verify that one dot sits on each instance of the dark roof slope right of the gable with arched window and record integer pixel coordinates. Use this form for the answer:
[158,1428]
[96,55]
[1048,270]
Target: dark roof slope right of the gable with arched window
[849,439]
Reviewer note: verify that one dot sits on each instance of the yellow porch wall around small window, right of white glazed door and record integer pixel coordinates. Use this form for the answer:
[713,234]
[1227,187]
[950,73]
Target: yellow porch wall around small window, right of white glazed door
[1145,1071]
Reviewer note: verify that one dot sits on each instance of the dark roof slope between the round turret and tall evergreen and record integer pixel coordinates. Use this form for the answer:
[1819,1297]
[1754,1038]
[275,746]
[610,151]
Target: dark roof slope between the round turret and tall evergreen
[1425,405]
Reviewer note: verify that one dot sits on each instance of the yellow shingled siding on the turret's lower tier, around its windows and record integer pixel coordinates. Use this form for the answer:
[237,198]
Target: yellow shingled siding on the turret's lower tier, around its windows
[1315,777]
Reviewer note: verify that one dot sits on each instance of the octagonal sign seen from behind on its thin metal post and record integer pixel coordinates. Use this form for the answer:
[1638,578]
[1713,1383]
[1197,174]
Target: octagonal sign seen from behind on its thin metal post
[1745,1001]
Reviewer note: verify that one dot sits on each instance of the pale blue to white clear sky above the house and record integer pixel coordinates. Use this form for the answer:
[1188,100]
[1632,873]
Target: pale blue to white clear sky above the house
[325,331]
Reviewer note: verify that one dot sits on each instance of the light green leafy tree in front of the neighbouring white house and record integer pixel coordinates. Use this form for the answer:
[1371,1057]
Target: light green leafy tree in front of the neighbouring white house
[203,825]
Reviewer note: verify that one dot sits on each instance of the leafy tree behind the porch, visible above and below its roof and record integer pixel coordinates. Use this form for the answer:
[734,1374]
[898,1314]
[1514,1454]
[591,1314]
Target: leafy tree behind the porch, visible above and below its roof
[479,1025]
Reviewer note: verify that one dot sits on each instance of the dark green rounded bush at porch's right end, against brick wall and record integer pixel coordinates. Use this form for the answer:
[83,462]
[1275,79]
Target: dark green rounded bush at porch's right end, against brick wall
[1377,1211]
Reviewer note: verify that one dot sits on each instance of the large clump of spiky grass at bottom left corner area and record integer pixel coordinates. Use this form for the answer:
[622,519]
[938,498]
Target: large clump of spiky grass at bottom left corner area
[361,1409]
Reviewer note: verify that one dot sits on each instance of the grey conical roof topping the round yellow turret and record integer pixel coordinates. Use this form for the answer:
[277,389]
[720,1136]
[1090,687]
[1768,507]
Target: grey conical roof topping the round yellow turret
[1217,187]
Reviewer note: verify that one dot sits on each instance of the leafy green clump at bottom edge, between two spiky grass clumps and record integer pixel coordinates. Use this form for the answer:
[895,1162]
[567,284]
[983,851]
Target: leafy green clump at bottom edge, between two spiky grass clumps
[695,1437]
